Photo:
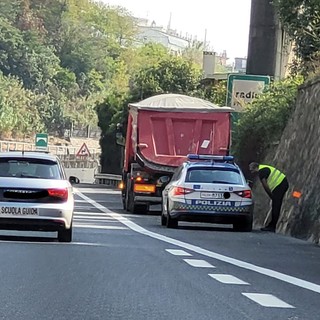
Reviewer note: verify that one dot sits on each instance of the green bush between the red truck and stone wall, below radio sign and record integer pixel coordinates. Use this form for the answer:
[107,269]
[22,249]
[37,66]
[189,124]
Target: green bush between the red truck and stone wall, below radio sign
[263,121]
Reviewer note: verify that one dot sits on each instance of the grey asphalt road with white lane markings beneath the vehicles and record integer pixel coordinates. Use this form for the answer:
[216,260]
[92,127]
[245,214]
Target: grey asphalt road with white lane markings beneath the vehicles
[123,266]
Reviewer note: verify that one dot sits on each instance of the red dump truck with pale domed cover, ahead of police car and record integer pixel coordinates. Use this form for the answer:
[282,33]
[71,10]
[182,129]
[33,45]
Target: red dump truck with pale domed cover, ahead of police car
[161,131]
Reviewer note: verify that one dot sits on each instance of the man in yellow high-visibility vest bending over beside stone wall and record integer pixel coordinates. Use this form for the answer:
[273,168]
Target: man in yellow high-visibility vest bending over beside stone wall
[276,185]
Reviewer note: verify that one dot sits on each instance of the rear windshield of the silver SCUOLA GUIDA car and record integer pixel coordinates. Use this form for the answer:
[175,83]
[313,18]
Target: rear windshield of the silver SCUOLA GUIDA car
[29,168]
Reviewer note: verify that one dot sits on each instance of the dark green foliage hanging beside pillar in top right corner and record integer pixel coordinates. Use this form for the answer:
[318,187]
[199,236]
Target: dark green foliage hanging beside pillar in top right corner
[301,19]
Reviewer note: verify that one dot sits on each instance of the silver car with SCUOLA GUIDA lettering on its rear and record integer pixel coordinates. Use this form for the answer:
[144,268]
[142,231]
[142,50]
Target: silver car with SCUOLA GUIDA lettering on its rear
[35,194]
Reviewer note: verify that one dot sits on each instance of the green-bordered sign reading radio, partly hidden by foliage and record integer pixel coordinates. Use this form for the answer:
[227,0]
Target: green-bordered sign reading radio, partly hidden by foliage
[243,88]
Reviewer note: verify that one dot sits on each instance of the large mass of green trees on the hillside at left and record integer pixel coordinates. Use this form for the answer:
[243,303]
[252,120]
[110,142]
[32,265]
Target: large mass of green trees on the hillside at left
[65,55]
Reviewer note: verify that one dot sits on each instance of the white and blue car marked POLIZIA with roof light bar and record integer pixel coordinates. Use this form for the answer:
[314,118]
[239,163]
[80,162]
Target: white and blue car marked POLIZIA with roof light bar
[208,189]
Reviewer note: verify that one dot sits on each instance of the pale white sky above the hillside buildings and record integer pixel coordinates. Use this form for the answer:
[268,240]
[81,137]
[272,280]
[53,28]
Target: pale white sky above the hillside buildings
[225,22]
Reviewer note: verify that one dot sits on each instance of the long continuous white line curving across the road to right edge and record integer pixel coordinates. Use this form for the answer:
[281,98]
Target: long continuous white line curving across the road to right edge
[238,263]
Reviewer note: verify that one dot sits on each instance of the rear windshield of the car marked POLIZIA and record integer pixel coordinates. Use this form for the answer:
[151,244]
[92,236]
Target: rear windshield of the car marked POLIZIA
[214,175]
